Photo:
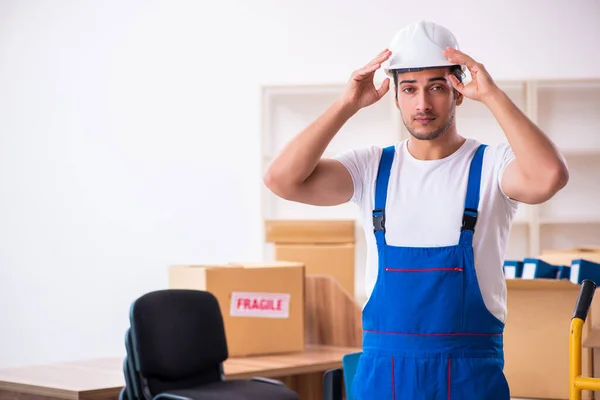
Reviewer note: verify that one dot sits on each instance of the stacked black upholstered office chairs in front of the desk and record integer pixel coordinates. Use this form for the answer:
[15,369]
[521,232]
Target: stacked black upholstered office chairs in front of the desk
[178,345]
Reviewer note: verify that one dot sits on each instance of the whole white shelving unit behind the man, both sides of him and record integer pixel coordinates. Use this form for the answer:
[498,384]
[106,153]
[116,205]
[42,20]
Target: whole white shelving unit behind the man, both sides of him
[567,110]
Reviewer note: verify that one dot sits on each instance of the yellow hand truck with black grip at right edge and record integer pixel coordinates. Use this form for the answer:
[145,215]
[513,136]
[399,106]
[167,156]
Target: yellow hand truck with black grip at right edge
[577,383]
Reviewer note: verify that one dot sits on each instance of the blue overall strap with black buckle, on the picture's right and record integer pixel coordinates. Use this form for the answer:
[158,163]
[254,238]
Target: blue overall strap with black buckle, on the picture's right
[472,199]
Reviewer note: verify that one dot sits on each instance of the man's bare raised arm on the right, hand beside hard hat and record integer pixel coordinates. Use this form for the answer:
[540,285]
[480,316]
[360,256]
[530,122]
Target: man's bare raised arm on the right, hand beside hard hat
[538,171]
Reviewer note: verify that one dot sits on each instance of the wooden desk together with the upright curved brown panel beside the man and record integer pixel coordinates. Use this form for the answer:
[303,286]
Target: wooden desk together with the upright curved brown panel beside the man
[333,328]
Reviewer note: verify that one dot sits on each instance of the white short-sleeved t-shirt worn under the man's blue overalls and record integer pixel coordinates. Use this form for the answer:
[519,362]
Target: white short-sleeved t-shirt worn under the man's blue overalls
[427,200]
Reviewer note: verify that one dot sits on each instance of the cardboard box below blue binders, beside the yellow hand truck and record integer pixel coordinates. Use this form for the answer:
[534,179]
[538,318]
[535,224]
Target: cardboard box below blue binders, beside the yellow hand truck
[536,339]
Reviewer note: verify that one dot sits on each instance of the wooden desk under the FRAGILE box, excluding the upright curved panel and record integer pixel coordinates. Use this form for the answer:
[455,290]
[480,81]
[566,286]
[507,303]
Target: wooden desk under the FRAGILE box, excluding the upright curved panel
[102,379]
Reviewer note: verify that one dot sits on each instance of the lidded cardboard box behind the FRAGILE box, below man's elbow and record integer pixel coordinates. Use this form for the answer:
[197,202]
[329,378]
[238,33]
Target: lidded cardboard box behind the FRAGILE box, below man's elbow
[324,247]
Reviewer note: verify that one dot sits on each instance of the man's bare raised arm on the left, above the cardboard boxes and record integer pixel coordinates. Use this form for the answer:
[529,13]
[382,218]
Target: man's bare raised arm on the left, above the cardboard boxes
[299,173]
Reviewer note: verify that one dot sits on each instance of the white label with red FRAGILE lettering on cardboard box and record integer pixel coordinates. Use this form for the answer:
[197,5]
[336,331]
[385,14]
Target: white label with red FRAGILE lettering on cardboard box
[261,305]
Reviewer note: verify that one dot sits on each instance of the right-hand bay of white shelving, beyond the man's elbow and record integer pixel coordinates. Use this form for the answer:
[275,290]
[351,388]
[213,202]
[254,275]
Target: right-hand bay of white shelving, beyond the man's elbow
[569,112]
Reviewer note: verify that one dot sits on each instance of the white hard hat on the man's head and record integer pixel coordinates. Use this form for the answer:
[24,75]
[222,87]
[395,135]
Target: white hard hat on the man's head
[420,45]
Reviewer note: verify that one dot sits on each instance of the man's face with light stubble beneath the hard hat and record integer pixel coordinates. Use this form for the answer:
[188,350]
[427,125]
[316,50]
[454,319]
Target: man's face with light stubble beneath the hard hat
[427,102]
